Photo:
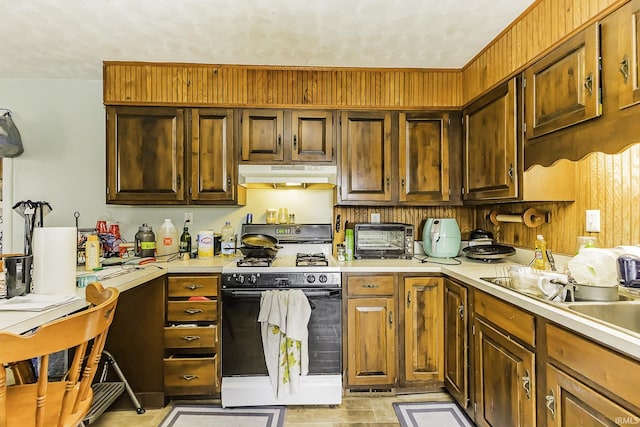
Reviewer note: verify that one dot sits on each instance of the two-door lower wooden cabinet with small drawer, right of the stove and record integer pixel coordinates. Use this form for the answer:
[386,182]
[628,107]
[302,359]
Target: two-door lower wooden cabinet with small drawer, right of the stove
[389,345]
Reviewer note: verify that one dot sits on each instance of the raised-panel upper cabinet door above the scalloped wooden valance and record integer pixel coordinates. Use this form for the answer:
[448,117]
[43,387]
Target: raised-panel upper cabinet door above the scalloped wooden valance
[563,88]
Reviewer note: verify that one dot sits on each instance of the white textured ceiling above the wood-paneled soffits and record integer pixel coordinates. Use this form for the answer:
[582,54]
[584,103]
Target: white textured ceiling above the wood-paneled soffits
[70,38]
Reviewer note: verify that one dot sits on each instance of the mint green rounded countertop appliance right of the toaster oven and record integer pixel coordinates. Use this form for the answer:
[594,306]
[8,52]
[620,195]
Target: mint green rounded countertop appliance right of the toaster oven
[441,238]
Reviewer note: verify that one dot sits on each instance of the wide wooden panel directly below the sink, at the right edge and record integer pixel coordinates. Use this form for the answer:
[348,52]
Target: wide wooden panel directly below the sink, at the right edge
[610,370]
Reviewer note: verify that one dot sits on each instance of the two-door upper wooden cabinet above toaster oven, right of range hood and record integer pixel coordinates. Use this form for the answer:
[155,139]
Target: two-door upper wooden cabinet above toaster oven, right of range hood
[395,158]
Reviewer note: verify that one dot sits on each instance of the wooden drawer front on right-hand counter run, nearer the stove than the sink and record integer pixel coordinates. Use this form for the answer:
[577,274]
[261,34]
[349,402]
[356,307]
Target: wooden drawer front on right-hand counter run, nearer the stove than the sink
[511,319]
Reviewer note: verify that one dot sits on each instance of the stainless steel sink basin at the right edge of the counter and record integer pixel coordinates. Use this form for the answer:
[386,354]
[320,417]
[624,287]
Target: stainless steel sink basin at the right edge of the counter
[625,314]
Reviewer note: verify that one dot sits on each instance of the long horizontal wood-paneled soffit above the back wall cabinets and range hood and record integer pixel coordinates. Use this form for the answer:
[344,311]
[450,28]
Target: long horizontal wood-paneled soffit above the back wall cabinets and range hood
[239,85]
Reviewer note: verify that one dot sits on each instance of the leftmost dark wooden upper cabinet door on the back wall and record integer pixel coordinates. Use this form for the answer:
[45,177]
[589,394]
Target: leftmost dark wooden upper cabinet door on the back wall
[145,155]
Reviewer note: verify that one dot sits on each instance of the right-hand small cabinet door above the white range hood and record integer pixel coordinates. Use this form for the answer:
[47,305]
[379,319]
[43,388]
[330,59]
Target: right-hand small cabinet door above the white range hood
[312,136]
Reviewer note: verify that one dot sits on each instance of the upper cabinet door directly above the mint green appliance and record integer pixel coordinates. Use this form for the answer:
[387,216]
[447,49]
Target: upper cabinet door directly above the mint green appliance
[423,157]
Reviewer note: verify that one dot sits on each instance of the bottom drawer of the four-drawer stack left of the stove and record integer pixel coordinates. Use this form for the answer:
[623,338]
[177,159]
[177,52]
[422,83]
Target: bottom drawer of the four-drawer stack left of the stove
[190,376]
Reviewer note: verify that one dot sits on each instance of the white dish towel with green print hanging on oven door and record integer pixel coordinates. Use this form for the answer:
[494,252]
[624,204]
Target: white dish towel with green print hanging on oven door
[284,316]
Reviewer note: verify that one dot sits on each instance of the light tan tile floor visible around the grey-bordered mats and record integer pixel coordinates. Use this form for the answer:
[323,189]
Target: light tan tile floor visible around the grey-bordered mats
[365,409]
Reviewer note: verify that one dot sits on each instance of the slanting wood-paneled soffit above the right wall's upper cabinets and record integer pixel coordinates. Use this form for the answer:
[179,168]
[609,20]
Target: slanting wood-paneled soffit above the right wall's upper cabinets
[535,32]
